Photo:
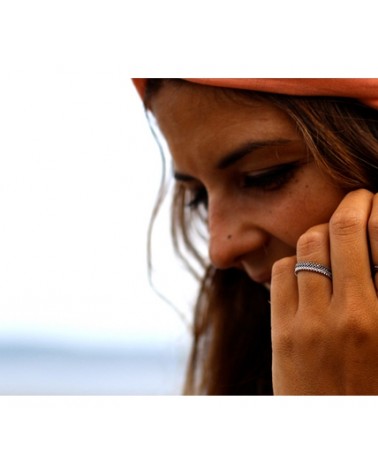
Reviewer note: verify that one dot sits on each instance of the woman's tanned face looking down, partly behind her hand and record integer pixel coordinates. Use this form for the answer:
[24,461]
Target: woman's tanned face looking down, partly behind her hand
[246,162]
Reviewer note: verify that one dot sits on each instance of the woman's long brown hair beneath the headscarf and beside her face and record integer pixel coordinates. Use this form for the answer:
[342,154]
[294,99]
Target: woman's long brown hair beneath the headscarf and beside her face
[231,351]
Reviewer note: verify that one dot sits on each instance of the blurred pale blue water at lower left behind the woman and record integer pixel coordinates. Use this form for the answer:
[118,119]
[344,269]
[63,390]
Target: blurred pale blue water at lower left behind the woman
[50,367]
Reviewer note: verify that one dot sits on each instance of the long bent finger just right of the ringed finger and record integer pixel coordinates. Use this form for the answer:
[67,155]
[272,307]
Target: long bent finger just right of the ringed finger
[349,244]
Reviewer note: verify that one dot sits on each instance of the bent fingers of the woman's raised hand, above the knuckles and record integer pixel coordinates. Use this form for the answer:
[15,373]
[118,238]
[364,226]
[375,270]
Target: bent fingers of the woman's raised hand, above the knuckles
[348,245]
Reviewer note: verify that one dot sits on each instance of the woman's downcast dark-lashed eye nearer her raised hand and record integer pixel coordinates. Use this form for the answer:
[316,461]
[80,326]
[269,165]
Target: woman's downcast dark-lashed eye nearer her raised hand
[271,179]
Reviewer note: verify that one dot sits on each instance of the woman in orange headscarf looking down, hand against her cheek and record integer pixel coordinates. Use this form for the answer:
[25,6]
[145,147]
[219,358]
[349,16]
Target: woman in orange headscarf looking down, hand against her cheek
[284,175]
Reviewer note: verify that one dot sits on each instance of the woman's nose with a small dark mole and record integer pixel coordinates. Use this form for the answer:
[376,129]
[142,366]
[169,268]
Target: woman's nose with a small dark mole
[233,235]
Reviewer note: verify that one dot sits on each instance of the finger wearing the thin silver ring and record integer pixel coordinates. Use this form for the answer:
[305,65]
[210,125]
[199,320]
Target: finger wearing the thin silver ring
[313,246]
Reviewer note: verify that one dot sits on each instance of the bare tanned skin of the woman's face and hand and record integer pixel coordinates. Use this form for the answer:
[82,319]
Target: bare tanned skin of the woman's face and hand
[324,333]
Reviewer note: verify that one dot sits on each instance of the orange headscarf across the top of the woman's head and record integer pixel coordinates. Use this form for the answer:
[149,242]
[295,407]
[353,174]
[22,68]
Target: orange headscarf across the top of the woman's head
[365,90]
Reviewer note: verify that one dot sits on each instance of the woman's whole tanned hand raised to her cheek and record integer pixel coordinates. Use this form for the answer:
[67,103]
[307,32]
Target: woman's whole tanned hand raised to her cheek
[325,332]
